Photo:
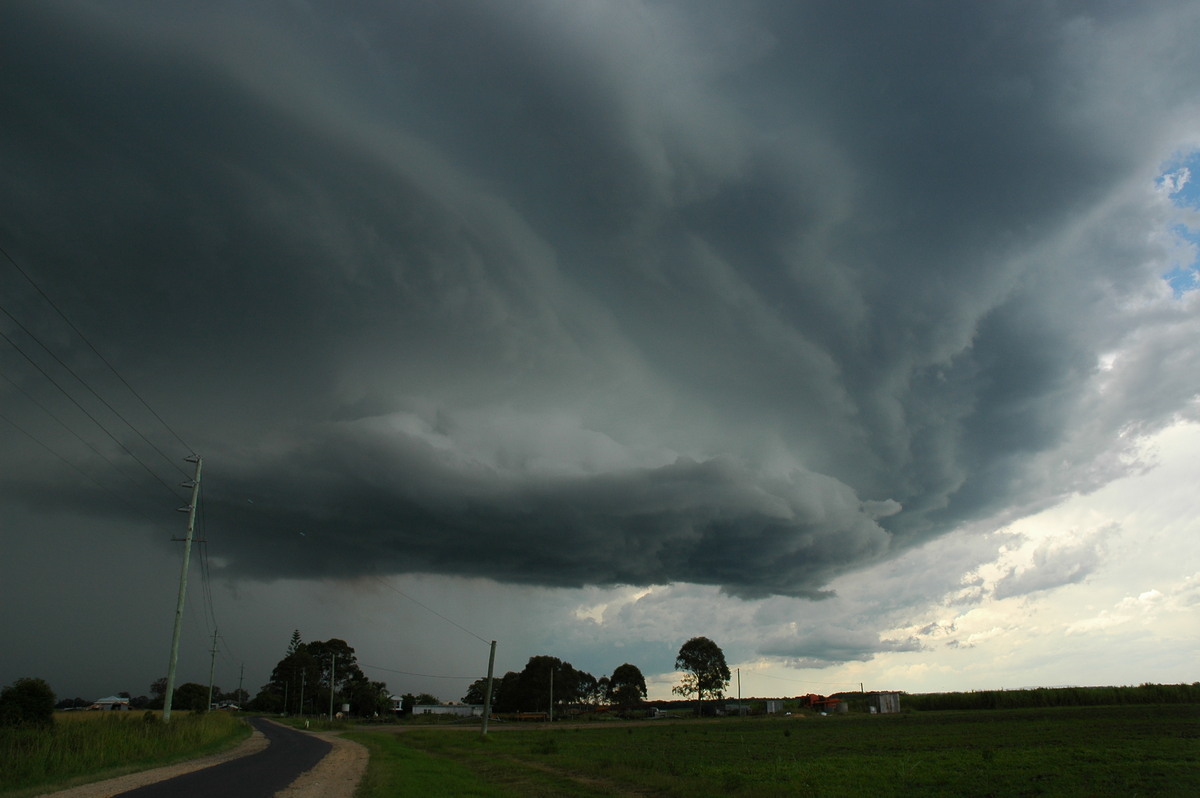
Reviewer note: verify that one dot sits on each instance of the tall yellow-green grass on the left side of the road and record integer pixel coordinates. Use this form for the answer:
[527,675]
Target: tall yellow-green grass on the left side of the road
[83,747]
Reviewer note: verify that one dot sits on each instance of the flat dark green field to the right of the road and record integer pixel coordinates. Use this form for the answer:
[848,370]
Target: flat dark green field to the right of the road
[1132,751]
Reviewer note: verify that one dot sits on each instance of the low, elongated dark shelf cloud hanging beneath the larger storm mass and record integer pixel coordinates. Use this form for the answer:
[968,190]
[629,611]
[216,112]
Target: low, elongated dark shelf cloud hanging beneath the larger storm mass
[369,503]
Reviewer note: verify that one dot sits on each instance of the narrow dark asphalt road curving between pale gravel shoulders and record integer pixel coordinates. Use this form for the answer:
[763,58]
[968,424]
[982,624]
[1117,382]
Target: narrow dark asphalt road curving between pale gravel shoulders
[260,776]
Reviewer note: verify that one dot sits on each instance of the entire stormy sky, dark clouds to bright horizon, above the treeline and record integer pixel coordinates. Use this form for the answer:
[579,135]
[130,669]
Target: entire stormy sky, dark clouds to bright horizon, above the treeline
[859,338]
